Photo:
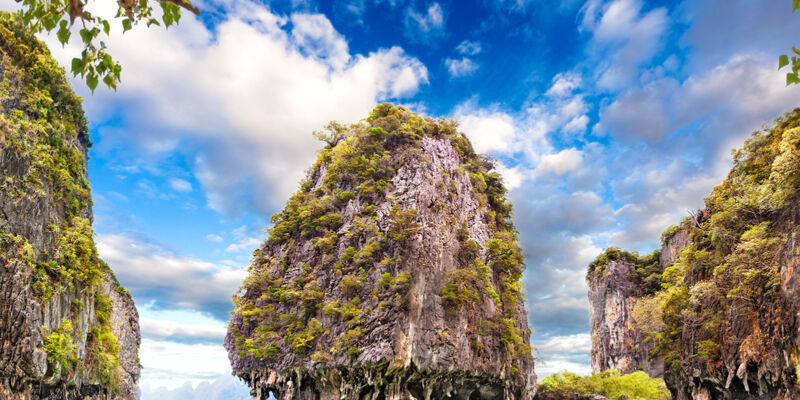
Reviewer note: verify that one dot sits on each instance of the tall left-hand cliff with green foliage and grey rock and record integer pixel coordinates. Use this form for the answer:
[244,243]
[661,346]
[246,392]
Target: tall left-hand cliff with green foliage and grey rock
[67,329]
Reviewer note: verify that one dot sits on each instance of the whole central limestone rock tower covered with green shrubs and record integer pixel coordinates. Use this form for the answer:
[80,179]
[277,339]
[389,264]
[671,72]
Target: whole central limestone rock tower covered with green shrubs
[392,273]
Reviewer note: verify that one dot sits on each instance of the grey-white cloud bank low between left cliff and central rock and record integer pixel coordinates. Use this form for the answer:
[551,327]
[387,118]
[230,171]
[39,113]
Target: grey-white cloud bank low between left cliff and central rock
[153,273]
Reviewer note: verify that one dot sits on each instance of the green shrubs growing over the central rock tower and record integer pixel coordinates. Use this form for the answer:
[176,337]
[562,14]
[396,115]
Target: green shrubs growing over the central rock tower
[364,266]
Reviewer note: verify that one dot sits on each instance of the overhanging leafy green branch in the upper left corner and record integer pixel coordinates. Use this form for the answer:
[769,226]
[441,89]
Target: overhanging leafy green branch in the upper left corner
[94,63]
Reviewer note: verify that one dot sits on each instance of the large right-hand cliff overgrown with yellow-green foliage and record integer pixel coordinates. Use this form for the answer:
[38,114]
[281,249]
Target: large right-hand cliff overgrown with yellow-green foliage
[726,313]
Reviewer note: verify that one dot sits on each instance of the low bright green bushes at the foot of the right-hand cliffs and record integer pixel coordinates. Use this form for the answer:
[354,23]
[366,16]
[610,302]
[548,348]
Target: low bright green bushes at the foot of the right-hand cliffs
[634,386]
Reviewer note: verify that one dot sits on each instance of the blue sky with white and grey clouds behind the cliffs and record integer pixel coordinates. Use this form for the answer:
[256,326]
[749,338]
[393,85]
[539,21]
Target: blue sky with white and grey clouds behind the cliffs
[612,120]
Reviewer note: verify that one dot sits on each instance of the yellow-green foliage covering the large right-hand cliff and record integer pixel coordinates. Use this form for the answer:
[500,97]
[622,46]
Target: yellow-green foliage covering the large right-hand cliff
[729,273]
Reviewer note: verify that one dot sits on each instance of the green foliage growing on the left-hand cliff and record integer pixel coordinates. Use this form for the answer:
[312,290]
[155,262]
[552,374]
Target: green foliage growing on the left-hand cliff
[43,137]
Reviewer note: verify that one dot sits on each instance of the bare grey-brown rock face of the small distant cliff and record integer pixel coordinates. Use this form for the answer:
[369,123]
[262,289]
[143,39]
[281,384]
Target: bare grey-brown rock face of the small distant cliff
[617,343]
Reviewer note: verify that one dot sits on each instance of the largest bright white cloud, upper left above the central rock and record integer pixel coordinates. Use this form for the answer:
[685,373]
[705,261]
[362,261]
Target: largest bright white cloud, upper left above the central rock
[244,96]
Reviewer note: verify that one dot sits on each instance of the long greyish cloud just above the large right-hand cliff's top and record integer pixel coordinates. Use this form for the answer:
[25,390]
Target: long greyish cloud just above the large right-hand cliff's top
[663,107]
